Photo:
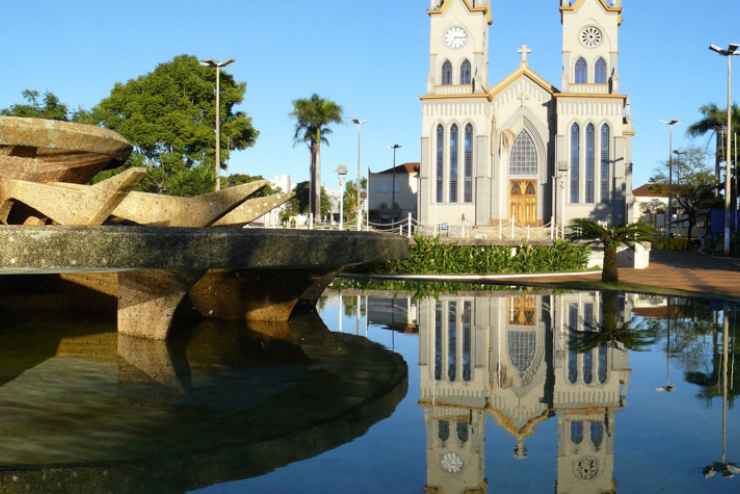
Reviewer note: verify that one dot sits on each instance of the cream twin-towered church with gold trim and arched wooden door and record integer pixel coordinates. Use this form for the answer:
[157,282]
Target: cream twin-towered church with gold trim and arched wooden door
[523,150]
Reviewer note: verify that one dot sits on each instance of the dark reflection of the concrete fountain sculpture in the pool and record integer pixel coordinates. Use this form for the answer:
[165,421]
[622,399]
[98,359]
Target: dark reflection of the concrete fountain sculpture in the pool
[95,412]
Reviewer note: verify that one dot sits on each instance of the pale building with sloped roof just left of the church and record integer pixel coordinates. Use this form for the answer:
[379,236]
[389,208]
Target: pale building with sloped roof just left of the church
[381,197]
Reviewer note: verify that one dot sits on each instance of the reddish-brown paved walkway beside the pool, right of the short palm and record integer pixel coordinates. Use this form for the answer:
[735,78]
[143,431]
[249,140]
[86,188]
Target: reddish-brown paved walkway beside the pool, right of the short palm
[680,271]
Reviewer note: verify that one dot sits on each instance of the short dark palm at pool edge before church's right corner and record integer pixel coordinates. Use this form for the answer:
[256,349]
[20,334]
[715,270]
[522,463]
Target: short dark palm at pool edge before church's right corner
[610,238]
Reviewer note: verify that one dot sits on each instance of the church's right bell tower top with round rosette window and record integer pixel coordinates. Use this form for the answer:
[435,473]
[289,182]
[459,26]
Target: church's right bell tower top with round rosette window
[591,45]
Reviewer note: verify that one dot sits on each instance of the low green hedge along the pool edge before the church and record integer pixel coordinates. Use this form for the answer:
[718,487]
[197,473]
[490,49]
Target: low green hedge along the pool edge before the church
[431,256]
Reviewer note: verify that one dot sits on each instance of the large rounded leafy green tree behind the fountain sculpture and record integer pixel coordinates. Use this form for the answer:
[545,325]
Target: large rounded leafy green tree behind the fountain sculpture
[168,116]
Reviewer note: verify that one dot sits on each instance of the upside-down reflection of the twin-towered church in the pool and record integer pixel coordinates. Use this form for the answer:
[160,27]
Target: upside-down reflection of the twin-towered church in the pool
[508,357]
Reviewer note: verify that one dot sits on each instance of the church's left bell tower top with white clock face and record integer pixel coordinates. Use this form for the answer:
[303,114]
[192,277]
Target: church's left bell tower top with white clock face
[458,48]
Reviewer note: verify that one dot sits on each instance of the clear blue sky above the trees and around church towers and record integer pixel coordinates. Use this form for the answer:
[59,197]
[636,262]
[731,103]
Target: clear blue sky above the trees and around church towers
[369,56]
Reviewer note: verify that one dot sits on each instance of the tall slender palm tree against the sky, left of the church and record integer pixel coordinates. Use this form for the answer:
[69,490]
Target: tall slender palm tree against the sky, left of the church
[313,117]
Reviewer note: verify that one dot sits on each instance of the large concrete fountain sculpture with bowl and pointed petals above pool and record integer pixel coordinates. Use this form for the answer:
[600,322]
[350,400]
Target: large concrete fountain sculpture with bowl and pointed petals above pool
[168,247]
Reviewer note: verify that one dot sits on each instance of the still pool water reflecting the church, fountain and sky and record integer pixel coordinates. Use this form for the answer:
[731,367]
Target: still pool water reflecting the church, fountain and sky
[496,391]
